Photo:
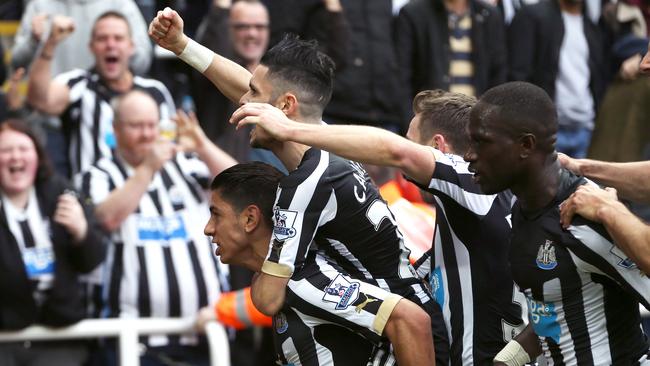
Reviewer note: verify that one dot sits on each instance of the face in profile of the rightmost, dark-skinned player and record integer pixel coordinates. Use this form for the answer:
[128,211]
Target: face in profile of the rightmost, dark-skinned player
[493,154]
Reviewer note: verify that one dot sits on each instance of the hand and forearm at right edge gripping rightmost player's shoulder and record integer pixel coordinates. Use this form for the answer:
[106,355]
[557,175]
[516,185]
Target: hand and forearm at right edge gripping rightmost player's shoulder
[629,233]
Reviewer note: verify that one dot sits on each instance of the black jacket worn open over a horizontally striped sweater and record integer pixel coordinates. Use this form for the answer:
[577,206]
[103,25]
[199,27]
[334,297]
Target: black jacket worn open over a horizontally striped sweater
[422,39]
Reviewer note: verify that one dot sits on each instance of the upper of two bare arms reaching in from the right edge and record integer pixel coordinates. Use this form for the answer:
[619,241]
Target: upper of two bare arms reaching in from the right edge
[629,179]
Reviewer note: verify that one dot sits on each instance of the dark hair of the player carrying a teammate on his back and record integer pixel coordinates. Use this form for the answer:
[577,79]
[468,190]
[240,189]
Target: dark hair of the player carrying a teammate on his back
[253,183]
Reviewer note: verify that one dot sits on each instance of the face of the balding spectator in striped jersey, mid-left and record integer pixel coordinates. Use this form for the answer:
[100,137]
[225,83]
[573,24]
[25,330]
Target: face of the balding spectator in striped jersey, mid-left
[137,130]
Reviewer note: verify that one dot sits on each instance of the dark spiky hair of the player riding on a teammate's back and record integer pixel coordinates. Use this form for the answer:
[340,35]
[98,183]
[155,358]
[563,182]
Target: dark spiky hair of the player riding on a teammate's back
[298,66]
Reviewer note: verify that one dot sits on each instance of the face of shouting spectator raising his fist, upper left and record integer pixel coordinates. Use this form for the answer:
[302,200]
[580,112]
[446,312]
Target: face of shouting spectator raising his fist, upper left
[112,46]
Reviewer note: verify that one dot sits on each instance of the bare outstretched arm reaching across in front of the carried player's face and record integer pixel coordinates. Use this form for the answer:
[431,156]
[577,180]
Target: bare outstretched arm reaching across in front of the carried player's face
[359,143]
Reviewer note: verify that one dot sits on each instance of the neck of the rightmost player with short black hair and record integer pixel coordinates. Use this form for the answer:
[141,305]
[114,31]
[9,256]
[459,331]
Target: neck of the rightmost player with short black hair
[539,187]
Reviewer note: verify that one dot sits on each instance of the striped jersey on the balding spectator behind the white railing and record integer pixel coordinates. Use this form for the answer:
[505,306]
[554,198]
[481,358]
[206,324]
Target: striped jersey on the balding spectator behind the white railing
[160,263]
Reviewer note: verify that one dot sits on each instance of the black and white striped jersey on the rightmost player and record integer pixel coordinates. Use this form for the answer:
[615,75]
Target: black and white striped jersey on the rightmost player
[583,293]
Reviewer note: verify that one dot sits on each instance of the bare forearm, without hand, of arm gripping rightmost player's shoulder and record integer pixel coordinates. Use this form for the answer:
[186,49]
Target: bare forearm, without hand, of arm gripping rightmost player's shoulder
[629,233]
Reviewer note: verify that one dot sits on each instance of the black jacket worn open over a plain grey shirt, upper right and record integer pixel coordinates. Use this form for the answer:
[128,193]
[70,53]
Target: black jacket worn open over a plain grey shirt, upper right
[534,41]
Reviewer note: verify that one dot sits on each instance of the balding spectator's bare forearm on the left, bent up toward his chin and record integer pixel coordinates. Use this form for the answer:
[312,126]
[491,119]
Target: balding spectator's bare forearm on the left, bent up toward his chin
[123,201]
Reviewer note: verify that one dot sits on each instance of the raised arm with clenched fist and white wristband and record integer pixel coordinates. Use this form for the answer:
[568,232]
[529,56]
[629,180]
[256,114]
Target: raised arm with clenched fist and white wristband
[166,29]
